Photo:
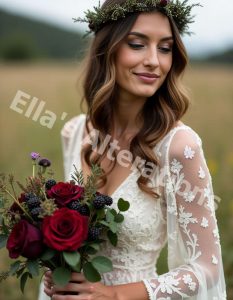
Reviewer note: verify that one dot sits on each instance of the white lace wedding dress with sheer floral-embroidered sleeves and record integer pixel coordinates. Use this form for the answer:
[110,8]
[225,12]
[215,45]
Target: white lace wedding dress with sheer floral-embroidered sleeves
[183,216]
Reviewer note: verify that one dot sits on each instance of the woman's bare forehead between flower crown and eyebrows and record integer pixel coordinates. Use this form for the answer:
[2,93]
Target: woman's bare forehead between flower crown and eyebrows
[152,24]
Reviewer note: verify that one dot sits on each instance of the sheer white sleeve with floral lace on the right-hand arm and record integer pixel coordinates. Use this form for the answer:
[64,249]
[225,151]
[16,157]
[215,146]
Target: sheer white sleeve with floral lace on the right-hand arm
[194,253]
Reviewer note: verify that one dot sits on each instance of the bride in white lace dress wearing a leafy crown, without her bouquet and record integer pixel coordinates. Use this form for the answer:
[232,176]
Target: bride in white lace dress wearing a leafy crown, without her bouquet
[134,96]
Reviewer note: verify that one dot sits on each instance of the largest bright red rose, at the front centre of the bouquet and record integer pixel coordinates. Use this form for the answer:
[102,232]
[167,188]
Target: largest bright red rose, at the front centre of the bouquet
[65,230]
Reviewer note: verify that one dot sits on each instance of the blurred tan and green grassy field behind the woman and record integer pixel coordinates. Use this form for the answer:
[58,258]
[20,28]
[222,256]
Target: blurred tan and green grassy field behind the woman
[211,115]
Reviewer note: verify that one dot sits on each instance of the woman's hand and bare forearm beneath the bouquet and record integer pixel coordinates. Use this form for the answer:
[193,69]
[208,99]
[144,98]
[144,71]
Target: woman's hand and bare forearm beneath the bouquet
[78,289]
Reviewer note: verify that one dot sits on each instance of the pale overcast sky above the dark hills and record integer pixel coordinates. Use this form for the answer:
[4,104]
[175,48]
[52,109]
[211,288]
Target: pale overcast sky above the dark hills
[213,25]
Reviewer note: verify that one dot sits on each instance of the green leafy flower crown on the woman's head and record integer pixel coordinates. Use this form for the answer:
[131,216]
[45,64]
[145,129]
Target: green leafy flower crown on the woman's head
[177,10]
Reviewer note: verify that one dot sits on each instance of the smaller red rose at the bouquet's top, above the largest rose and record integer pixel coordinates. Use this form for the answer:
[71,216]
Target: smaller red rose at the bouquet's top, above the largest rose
[63,193]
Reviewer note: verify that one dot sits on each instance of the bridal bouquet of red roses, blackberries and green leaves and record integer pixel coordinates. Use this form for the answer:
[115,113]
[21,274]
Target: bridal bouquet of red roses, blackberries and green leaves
[56,225]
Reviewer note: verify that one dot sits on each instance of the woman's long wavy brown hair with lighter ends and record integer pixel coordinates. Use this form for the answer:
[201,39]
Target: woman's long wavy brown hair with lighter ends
[160,112]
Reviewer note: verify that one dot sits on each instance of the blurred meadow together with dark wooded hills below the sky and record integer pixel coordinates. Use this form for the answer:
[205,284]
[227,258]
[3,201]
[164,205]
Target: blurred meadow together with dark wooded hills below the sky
[26,65]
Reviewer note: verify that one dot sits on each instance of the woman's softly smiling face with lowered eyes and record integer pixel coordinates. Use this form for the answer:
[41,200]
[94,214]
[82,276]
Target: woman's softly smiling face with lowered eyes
[144,58]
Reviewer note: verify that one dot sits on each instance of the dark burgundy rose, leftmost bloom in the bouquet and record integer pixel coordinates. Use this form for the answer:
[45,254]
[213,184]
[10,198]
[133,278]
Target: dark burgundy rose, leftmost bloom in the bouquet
[25,240]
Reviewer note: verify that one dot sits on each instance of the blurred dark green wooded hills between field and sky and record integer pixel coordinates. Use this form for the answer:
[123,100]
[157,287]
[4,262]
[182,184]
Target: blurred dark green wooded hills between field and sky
[22,38]
